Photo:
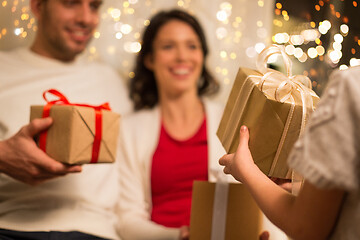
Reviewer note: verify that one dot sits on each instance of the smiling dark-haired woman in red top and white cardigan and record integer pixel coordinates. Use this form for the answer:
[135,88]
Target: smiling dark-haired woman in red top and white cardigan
[171,140]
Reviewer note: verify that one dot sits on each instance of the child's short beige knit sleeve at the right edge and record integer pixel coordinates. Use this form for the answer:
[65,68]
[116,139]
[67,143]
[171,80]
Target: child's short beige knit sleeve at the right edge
[327,155]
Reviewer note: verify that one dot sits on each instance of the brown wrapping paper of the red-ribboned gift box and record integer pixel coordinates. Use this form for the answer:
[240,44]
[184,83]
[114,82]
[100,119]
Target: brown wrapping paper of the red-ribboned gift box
[71,136]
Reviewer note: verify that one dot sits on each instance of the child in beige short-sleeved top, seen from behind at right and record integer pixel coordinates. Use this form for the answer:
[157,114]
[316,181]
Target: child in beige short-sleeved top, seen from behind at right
[327,155]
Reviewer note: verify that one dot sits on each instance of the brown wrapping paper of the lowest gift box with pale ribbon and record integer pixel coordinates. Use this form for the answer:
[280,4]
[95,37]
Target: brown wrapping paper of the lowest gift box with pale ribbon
[243,218]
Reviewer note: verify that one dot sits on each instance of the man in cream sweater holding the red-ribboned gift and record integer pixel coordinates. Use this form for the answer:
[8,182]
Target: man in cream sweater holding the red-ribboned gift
[41,198]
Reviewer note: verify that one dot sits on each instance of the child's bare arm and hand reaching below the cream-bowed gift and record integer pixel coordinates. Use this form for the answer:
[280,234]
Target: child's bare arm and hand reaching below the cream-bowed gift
[311,215]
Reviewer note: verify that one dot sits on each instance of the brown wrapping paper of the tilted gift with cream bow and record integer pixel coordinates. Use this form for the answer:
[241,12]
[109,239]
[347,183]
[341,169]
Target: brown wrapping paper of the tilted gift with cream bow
[266,118]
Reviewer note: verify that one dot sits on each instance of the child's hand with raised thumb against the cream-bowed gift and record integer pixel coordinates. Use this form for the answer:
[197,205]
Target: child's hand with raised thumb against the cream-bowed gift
[240,161]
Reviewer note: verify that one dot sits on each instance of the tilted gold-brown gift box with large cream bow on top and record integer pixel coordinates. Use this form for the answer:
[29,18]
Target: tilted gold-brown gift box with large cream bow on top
[274,106]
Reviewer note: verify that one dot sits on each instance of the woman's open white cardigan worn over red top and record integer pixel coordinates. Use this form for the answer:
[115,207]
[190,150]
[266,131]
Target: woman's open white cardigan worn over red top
[139,138]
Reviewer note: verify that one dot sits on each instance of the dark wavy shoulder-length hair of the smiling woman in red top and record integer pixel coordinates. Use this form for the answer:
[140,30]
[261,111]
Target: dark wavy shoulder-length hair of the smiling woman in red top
[143,89]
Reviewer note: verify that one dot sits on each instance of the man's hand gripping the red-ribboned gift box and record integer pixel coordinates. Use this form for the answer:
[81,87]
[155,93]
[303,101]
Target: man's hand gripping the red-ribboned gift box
[21,159]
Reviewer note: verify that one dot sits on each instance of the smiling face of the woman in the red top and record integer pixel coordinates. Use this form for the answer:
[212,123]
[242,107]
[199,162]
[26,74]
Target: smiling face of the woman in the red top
[177,58]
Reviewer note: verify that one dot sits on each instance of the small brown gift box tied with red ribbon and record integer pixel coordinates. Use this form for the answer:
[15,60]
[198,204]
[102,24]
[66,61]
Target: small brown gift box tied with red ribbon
[80,133]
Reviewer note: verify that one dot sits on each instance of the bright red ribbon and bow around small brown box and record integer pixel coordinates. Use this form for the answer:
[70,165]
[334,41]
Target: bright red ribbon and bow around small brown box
[62,100]
